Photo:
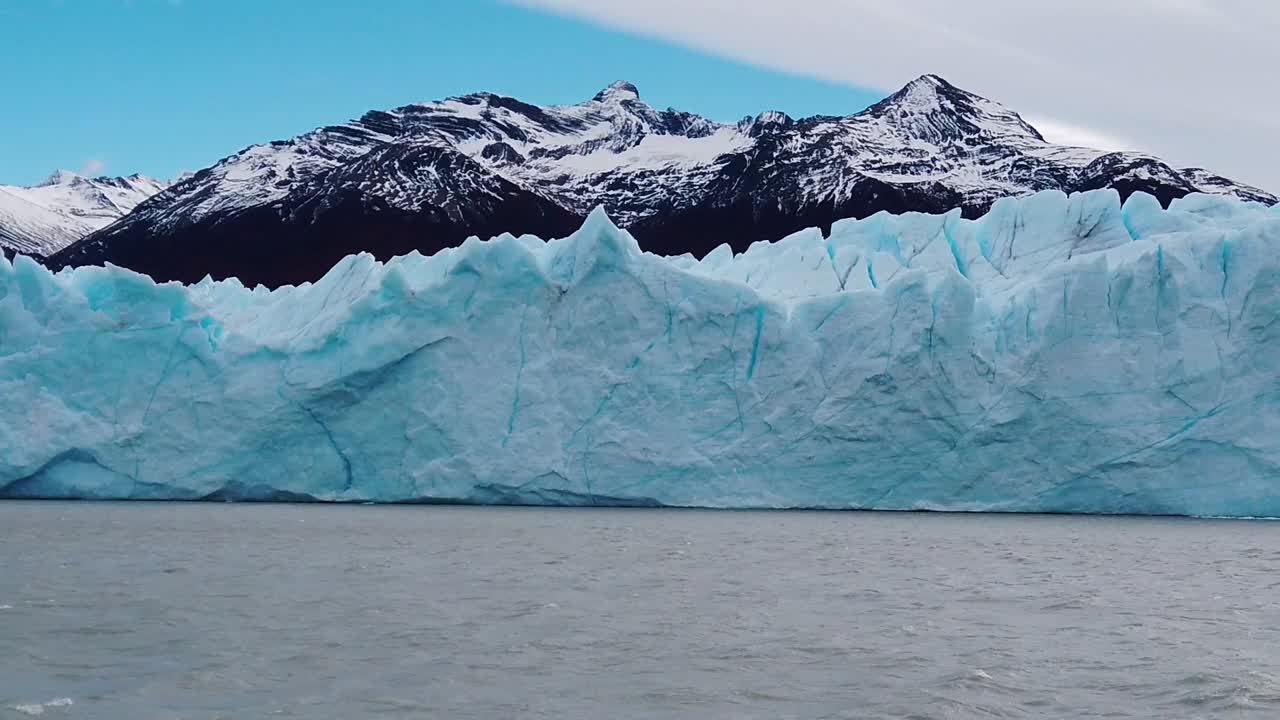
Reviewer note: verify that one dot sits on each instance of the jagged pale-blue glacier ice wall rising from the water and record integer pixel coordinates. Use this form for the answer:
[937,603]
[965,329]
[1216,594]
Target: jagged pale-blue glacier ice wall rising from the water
[1060,354]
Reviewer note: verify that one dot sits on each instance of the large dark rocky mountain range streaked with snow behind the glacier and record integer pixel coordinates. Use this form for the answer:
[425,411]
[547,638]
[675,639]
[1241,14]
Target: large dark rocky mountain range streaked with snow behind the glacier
[427,176]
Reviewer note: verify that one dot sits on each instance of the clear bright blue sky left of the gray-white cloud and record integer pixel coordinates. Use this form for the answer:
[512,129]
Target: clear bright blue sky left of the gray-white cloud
[163,86]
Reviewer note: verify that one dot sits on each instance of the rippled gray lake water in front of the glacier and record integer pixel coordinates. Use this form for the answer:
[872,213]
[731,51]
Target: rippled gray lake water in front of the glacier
[200,612]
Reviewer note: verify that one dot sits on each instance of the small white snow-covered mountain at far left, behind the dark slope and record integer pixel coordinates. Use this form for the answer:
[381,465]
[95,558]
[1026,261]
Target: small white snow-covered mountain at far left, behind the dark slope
[48,217]
